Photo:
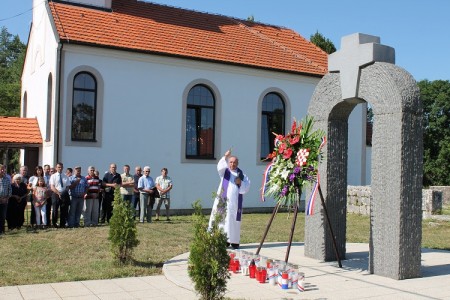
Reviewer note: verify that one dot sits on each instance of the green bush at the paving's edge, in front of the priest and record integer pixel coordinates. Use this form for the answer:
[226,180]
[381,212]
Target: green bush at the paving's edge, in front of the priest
[208,258]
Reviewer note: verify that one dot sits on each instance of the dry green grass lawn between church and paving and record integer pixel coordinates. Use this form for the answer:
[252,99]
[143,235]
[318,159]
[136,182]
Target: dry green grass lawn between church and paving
[56,255]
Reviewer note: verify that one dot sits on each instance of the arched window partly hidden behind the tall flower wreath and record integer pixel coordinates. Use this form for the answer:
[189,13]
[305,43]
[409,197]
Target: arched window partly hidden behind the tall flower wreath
[272,120]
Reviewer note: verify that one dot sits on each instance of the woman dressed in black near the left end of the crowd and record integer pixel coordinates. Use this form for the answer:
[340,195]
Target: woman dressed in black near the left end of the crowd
[17,203]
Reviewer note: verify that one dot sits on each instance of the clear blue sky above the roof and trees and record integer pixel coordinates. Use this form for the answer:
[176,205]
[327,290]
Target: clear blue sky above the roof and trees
[419,30]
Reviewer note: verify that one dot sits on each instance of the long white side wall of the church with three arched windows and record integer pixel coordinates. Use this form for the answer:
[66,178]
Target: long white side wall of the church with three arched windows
[142,117]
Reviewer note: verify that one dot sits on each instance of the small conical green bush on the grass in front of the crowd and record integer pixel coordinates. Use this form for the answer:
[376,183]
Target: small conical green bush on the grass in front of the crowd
[122,230]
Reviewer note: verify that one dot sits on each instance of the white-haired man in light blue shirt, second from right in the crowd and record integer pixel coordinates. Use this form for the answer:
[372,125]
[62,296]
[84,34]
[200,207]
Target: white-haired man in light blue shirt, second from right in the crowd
[145,187]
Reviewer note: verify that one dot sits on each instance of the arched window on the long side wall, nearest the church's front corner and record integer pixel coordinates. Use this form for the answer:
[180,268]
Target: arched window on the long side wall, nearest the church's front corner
[84,107]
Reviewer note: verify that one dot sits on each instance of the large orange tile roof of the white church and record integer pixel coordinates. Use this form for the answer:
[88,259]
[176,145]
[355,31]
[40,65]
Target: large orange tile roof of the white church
[159,29]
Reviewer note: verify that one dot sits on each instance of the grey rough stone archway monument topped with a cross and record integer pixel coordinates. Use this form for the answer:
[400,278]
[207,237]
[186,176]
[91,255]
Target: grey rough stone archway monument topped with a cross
[362,71]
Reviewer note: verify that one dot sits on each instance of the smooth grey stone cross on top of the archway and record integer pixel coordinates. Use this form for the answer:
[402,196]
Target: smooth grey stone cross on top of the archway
[357,51]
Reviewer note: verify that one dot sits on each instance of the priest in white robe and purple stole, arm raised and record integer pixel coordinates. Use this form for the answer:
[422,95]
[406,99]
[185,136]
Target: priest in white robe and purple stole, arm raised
[233,184]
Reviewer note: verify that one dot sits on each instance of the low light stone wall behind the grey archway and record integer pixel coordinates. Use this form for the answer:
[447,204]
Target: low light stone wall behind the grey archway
[359,198]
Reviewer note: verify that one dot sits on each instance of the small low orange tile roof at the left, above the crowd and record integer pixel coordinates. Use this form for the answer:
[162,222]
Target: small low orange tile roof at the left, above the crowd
[16,131]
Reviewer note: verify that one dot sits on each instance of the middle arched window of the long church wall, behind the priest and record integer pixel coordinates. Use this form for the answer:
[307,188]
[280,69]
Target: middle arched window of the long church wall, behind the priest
[200,119]
